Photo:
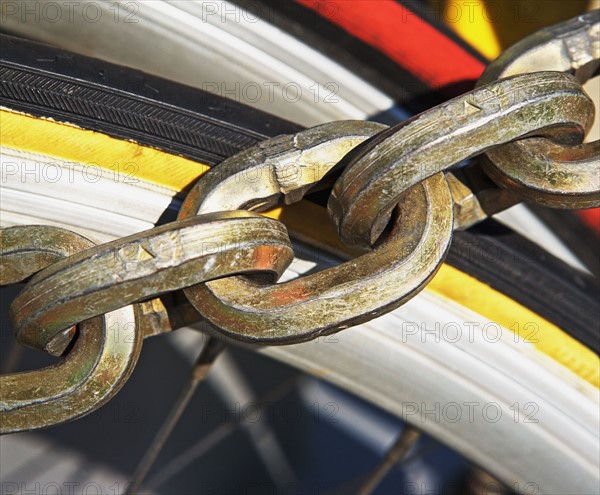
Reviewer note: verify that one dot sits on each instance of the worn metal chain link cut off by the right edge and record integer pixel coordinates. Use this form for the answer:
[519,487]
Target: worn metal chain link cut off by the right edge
[553,174]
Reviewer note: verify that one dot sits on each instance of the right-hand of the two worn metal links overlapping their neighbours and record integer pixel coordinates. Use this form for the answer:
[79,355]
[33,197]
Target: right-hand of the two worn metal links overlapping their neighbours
[372,184]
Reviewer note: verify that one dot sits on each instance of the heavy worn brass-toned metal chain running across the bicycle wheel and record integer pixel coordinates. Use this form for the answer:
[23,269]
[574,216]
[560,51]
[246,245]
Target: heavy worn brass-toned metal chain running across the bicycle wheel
[400,195]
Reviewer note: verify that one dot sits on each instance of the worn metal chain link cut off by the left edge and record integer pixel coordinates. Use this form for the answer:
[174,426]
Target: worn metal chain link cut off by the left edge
[100,361]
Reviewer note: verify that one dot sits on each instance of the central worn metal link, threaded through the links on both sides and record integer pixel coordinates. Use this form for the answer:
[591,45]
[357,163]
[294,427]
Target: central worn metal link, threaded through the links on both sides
[341,296]
